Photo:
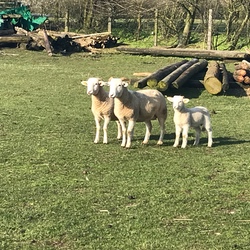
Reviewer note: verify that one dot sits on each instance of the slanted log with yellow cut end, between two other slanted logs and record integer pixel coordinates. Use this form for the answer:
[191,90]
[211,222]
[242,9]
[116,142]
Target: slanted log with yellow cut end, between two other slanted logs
[165,82]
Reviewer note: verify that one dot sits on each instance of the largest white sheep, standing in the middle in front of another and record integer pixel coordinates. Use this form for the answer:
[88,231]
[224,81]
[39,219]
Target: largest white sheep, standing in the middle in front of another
[137,106]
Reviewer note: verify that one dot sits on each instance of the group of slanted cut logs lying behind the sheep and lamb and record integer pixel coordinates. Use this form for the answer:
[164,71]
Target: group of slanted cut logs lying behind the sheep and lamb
[212,76]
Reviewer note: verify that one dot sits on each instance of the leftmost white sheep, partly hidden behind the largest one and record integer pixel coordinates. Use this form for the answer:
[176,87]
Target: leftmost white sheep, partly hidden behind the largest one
[102,107]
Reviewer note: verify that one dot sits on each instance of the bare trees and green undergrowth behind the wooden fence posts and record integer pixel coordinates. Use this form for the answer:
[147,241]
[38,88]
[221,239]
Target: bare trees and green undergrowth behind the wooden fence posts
[180,22]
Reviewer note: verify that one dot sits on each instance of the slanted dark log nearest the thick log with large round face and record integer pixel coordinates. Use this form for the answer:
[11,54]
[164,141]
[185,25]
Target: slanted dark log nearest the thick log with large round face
[189,72]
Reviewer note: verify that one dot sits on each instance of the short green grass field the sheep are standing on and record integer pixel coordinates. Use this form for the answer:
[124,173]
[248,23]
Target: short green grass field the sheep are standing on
[59,190]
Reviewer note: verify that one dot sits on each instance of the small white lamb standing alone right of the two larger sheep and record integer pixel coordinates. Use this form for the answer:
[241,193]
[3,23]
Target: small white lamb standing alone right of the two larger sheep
[184,118]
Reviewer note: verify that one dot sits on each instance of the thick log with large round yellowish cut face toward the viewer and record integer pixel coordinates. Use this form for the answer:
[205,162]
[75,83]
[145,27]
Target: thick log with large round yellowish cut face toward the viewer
[212,81]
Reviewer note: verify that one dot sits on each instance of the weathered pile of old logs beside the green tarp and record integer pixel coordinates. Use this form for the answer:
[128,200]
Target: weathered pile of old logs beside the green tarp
[60,41]
